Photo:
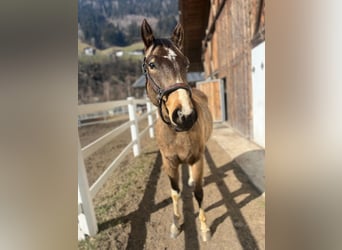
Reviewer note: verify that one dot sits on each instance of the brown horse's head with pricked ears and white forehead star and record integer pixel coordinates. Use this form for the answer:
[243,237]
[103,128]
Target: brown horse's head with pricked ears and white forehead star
[165,67]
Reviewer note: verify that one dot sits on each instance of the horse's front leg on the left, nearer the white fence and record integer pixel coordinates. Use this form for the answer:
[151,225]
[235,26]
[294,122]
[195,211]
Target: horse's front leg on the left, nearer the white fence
[173,174]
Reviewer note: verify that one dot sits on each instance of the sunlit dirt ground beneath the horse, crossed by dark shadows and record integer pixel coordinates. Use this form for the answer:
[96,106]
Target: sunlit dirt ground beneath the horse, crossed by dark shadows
[134,208]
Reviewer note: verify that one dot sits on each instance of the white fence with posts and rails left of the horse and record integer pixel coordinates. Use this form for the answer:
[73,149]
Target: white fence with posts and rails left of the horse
[87,224]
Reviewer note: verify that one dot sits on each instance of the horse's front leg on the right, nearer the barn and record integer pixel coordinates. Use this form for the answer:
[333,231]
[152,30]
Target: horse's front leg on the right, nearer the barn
[196,175]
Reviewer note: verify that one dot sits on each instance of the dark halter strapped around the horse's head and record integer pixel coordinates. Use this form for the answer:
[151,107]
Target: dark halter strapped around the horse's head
[163,92]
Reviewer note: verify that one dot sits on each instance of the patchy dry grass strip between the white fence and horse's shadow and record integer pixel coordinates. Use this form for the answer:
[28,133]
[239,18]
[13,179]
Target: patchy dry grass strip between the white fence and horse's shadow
[115,198]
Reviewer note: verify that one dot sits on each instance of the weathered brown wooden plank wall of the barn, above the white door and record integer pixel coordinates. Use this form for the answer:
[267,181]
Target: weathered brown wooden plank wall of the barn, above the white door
[227,55]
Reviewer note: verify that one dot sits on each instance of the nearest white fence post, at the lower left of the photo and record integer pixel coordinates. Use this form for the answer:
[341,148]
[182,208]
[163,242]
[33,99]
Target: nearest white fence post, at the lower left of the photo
[86,218]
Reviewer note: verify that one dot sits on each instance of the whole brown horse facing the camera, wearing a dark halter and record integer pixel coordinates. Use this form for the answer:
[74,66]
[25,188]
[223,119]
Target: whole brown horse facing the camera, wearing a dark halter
[184,123]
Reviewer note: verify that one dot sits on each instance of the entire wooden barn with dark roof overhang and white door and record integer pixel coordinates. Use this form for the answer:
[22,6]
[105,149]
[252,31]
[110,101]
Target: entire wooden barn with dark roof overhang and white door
[226,40]
